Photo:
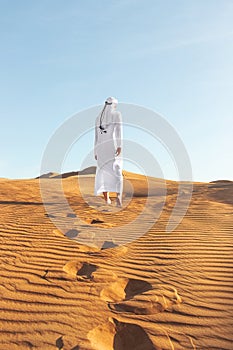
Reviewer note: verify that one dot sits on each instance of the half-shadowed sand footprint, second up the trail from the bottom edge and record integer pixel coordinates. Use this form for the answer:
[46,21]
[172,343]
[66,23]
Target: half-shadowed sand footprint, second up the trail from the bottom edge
[123,289]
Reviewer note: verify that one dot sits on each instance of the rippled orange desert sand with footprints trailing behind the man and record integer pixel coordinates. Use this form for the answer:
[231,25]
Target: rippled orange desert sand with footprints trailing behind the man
[163,291]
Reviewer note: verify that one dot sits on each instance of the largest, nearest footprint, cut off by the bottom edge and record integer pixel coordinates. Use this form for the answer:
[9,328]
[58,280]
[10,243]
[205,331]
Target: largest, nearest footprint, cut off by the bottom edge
[120,336]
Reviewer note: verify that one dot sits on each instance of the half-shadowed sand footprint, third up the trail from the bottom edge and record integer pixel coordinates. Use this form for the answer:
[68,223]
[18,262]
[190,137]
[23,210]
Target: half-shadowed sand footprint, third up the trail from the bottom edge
[82,271]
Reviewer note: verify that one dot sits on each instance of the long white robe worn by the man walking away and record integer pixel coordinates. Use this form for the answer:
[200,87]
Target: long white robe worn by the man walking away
[109,166]
